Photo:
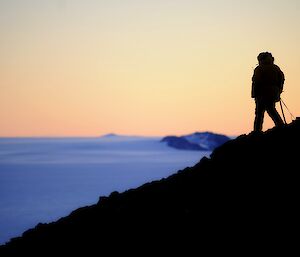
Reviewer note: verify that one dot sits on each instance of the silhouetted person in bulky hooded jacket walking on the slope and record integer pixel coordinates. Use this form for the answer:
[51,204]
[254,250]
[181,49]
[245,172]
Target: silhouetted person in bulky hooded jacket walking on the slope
[267,85]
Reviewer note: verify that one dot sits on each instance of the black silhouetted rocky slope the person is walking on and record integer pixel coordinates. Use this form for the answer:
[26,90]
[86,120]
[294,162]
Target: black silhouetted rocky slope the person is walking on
[243,199]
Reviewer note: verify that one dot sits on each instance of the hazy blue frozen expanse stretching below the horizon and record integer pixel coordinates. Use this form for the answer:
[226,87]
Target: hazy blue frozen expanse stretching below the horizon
[44,179]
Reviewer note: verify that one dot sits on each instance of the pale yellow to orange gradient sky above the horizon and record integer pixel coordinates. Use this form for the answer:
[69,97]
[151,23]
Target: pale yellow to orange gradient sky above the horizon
[139,67]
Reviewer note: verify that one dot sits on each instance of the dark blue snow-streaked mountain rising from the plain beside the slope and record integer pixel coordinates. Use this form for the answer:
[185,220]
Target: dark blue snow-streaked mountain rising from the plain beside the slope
[198,141]
